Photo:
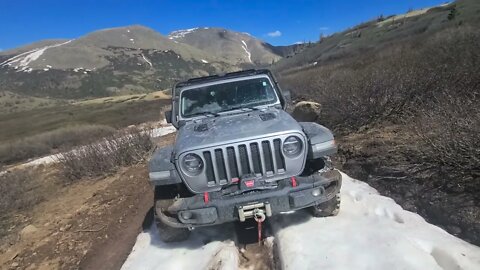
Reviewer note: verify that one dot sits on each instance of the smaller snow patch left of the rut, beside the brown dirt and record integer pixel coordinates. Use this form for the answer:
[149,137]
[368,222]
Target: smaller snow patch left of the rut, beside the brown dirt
[207,248]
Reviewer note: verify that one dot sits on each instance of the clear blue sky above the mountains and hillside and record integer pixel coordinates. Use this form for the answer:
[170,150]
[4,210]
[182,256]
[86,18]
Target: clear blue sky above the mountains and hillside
[276,21]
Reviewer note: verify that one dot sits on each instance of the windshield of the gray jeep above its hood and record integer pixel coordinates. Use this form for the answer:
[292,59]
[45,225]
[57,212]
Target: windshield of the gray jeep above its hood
[228,96]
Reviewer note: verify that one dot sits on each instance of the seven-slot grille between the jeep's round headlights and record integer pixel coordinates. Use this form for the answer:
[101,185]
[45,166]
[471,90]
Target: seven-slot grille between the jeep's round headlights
[227,164]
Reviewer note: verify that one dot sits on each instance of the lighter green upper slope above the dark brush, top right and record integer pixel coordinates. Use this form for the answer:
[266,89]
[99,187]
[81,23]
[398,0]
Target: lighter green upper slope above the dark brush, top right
[382,32]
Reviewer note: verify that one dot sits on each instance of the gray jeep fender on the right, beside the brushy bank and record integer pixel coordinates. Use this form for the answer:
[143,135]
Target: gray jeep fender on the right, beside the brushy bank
[320,138]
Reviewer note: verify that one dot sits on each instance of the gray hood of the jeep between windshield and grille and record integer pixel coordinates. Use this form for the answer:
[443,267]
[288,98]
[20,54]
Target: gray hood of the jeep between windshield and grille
[225,129]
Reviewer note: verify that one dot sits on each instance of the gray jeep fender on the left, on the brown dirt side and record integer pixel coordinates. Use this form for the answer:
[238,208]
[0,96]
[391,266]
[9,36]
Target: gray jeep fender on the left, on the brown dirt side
[161,169]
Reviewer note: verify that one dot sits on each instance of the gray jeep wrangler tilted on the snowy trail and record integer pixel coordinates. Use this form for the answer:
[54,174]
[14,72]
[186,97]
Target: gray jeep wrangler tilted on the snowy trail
[239,155]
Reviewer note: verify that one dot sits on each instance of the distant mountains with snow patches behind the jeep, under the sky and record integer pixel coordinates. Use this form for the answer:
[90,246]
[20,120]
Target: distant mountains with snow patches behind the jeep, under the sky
[125,60]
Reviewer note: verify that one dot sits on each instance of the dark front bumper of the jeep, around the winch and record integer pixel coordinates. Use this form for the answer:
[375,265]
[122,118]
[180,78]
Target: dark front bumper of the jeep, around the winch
[195,211]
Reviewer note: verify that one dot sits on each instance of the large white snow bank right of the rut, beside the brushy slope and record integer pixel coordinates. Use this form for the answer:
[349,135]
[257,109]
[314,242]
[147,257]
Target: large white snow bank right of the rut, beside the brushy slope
[370,232]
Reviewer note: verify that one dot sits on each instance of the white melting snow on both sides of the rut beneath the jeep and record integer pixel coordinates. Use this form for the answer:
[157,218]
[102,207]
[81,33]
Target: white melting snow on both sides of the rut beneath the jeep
[371,232]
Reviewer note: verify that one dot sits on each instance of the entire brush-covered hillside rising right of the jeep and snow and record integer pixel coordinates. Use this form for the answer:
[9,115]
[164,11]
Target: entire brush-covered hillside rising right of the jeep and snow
[402,95]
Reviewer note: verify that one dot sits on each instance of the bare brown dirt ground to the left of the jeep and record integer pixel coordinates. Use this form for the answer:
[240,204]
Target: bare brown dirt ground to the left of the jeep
[88,224]
